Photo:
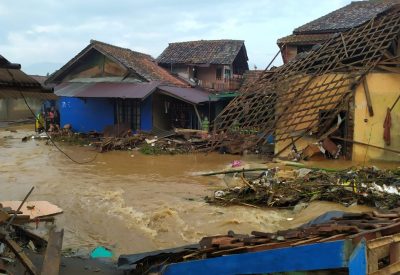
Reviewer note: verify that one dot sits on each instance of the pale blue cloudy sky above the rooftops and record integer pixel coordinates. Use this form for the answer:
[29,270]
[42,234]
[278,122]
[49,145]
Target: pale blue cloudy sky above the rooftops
[43,35]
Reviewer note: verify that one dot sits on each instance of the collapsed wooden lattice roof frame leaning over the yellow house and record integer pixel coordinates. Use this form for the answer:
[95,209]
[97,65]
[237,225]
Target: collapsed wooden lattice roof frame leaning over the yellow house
[287,102]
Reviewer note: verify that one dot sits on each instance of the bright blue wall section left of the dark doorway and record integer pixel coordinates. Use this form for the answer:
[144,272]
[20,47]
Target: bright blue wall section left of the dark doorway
[88,114]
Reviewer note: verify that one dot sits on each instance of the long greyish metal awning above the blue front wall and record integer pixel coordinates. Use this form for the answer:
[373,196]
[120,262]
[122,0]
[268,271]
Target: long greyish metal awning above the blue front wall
[110,90]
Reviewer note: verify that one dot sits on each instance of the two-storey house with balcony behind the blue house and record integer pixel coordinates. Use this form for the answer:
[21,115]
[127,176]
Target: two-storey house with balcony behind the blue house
[217,66]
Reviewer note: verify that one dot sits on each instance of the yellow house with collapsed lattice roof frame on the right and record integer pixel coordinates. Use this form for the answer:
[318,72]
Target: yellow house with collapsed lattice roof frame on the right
[342,97]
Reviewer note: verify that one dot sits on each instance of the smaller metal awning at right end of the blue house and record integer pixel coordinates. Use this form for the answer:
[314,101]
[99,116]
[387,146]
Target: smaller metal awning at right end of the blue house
[191,95]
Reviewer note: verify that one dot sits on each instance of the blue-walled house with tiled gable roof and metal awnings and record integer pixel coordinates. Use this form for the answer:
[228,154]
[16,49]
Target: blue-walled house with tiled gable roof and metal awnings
[106,85]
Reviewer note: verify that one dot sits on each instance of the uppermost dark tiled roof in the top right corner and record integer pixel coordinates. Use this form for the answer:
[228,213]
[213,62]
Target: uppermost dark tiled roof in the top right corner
[350,16]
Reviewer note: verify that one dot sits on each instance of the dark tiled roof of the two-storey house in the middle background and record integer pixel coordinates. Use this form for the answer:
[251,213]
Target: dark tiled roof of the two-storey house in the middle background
[202,52]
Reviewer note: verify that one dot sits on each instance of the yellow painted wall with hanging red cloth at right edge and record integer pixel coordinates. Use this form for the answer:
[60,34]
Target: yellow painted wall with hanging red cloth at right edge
[384,89]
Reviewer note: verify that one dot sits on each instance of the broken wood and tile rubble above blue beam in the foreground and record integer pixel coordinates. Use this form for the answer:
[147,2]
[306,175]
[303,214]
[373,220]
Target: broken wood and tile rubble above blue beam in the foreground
[331,226]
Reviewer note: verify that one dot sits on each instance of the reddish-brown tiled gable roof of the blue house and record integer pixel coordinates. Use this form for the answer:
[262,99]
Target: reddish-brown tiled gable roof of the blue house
[142,64]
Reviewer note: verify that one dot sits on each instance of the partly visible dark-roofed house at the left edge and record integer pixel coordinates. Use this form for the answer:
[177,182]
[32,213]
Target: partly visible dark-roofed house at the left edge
[16,87]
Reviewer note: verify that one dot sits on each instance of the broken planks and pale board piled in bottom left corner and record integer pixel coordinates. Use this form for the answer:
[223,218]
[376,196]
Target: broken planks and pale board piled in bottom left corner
[18,237]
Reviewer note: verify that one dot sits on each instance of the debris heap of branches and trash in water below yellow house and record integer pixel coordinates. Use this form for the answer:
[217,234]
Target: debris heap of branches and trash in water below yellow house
[271,188]
